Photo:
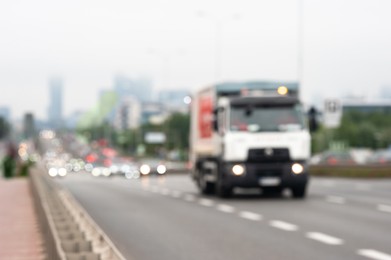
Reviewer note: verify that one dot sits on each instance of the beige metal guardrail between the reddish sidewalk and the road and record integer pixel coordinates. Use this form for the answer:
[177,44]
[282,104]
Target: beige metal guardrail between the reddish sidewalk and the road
[69,232]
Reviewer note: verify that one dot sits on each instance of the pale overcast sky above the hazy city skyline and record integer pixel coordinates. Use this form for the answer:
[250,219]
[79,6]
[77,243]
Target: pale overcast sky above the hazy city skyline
[346,46]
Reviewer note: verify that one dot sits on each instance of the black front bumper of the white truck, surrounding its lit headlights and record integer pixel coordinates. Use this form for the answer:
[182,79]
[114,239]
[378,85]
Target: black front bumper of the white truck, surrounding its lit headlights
[265,175]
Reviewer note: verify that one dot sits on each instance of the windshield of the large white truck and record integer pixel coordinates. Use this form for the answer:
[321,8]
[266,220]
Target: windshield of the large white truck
[266,118]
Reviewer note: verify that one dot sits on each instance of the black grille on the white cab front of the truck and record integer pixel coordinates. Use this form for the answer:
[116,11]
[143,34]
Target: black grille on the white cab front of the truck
[268,155]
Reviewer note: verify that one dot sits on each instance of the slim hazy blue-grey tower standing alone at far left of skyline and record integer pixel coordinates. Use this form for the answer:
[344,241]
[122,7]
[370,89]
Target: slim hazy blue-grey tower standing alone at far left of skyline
[56,103]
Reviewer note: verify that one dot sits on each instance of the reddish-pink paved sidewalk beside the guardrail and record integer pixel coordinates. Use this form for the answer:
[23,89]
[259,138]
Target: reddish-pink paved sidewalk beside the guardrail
[19,230]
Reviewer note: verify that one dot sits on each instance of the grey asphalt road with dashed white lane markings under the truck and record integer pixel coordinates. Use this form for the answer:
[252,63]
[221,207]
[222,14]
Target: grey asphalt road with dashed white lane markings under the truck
[166,218]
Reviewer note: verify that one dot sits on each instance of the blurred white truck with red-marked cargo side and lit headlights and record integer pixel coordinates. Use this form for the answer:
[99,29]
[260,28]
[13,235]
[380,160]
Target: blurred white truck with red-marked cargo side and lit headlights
[249,134]
